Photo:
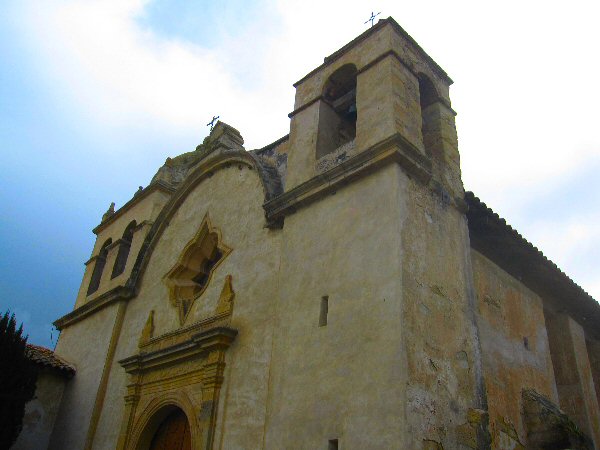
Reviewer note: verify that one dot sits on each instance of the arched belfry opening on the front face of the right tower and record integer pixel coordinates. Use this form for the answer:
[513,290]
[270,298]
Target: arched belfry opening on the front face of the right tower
[337,111]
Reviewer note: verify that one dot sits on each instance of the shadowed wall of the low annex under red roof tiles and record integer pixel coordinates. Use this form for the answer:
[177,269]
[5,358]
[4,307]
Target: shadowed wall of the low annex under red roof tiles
[41,411]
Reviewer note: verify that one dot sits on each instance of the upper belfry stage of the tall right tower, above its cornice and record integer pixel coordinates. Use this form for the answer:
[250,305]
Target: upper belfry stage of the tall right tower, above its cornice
[379,91]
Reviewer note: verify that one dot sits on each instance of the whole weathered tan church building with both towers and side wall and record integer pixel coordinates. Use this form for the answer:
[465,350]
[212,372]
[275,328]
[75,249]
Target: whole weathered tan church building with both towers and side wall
[336,289]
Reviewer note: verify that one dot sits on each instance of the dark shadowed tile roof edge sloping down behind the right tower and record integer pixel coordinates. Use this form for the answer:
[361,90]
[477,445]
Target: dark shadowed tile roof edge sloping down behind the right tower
[498,241]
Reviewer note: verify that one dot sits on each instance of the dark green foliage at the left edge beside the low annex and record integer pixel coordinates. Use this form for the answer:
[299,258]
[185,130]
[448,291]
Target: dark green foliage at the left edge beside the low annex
[17,379]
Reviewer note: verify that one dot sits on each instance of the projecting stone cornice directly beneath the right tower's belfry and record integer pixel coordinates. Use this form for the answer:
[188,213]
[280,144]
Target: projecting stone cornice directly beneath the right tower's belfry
[395,149]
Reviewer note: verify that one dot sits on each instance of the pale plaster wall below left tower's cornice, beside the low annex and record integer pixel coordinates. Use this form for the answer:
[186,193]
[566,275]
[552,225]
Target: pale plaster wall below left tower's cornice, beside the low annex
[84,344]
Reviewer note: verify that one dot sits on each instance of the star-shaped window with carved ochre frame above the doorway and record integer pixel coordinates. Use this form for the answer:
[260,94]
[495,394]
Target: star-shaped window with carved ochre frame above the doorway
[190,276]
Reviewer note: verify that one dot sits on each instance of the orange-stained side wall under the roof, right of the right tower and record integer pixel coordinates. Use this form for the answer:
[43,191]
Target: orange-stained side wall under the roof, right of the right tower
[515,349]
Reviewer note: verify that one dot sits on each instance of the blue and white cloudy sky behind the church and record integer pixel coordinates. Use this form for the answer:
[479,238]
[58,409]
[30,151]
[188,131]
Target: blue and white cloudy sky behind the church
[94,95]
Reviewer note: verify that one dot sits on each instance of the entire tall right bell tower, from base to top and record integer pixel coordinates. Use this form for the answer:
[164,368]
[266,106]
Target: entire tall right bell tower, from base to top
[376,247]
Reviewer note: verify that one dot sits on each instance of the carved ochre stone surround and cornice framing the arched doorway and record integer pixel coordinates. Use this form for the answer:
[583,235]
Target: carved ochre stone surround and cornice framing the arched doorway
[183,369]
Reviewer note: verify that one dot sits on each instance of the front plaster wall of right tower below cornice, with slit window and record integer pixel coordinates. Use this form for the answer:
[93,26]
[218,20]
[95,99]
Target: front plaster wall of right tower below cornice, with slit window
[344,380]
